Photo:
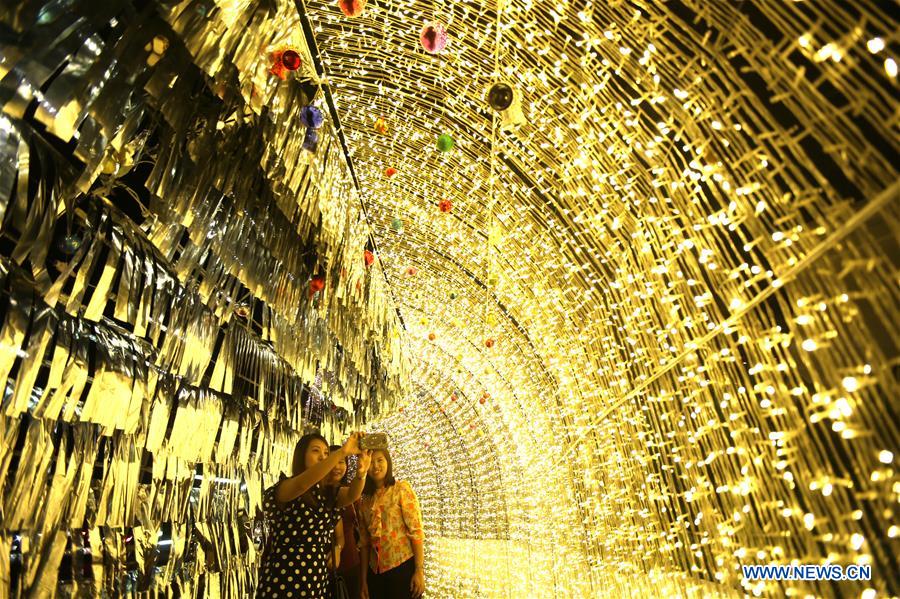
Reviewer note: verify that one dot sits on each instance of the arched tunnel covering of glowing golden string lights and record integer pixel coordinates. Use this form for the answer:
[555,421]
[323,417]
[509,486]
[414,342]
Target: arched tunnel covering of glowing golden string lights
[626,249]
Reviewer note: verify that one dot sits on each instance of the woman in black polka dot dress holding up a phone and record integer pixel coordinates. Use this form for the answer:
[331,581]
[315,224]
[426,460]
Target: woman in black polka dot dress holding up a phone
[301,514]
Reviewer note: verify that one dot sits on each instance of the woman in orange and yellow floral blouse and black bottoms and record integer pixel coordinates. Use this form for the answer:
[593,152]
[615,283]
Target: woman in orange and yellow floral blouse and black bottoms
[390,535]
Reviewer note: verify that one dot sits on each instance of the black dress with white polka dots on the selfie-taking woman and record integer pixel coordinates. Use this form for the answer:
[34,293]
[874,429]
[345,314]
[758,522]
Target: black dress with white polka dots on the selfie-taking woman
[295,563]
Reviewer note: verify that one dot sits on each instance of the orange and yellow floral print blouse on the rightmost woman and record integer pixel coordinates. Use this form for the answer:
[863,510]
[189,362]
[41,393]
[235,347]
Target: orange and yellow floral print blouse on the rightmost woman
[389,522]
